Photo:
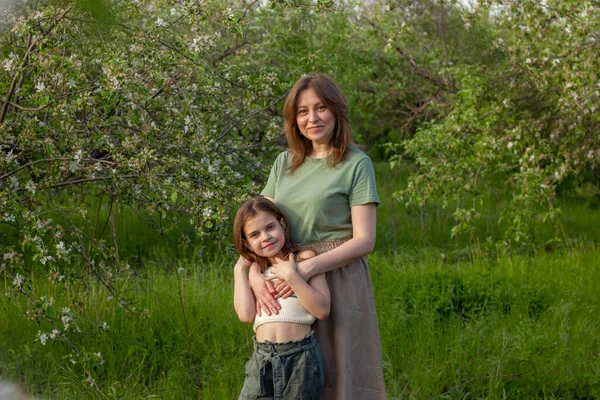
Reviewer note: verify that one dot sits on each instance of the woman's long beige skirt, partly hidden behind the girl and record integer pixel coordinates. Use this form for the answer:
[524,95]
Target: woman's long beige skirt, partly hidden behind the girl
[349,337]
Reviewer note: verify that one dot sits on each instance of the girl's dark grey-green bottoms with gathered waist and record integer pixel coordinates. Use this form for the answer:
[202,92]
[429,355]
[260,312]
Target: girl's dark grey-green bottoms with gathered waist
[291,370]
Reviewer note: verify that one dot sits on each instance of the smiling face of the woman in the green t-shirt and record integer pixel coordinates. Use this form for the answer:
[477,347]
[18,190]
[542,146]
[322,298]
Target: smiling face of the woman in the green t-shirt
[315,120]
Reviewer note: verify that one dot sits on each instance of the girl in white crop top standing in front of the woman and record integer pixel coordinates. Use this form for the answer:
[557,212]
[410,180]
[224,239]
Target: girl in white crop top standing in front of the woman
[286,362]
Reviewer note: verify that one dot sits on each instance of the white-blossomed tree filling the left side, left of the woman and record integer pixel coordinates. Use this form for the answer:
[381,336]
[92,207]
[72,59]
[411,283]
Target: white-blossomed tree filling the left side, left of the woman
[170,108]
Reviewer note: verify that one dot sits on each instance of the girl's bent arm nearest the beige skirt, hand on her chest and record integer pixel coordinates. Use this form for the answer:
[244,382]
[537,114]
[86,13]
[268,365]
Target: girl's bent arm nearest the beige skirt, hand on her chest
[314,296]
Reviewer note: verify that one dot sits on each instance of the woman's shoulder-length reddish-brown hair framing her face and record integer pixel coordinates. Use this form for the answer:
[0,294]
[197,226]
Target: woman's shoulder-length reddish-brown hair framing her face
[332,96]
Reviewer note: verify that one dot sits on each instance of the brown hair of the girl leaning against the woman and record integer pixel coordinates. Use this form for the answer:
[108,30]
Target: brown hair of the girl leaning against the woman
[248,210]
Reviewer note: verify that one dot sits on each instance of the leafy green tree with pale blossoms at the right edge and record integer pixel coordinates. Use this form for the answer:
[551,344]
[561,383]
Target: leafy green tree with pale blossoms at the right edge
[526,113]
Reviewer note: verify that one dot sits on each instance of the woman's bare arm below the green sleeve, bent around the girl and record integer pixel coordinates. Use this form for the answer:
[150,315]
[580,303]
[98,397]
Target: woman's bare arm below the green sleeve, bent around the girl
[364,221]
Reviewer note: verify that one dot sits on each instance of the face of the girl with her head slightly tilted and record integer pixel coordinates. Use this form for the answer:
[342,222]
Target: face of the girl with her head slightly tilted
[265,235]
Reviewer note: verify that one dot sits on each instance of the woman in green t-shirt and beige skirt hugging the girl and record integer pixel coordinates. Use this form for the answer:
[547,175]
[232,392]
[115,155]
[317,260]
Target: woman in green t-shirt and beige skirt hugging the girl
[326,188]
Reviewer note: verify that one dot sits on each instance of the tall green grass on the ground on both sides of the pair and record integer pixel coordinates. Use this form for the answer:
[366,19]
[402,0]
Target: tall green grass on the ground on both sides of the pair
[512,328]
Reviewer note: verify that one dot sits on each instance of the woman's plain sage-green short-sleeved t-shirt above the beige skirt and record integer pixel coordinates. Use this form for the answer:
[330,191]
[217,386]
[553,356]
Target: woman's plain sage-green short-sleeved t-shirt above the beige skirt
[316,198]
